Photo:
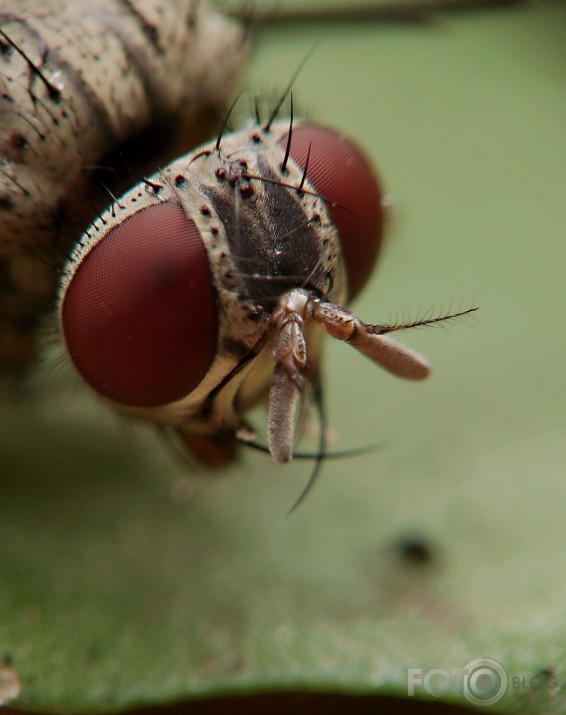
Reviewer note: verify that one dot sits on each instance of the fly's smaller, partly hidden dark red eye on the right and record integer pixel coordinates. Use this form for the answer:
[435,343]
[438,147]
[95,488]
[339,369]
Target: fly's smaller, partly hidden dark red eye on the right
[342,174]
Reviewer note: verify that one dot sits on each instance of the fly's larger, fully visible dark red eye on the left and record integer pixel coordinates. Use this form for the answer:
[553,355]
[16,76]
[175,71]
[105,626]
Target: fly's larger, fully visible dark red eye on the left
[139,315]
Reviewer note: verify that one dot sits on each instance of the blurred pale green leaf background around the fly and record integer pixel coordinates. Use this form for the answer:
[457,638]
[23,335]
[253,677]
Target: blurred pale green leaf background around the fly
[124,581]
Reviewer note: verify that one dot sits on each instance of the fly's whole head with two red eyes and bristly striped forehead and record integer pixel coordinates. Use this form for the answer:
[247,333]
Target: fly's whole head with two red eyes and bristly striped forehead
[200,291]
